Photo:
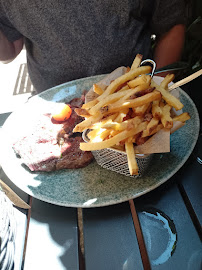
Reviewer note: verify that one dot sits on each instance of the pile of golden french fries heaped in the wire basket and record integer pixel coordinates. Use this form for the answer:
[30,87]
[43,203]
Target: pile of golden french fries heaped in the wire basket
[128,112]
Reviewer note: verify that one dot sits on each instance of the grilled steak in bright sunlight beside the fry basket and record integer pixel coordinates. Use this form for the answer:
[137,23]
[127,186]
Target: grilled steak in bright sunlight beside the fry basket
[52,145]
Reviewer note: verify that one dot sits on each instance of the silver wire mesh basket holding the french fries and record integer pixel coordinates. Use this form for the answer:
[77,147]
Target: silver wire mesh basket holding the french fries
[116,160]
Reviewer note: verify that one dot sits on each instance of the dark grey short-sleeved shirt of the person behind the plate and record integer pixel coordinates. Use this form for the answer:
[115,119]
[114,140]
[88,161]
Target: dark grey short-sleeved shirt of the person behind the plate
[67,40]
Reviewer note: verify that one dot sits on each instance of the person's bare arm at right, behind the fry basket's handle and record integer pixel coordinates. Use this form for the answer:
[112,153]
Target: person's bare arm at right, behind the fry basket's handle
[169,47]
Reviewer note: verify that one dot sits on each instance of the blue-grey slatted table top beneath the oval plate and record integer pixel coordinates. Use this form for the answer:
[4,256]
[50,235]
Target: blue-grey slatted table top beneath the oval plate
[159,230]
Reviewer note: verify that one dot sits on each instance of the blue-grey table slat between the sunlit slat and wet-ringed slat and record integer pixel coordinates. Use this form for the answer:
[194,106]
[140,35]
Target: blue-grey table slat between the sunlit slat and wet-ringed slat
[110,239]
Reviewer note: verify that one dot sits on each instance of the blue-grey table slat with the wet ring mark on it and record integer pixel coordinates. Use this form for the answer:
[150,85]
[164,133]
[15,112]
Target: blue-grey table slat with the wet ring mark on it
[164,218]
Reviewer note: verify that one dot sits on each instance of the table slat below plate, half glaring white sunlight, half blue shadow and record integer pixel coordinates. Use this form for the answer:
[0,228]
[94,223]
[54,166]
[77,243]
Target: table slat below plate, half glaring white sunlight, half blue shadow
[52,241]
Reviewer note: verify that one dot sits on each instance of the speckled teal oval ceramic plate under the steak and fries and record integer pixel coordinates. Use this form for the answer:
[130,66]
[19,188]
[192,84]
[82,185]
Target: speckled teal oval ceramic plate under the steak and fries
[91,186]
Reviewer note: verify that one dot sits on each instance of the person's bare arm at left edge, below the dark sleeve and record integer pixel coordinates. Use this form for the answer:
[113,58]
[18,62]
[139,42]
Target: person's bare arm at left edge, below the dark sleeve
[9,50]
